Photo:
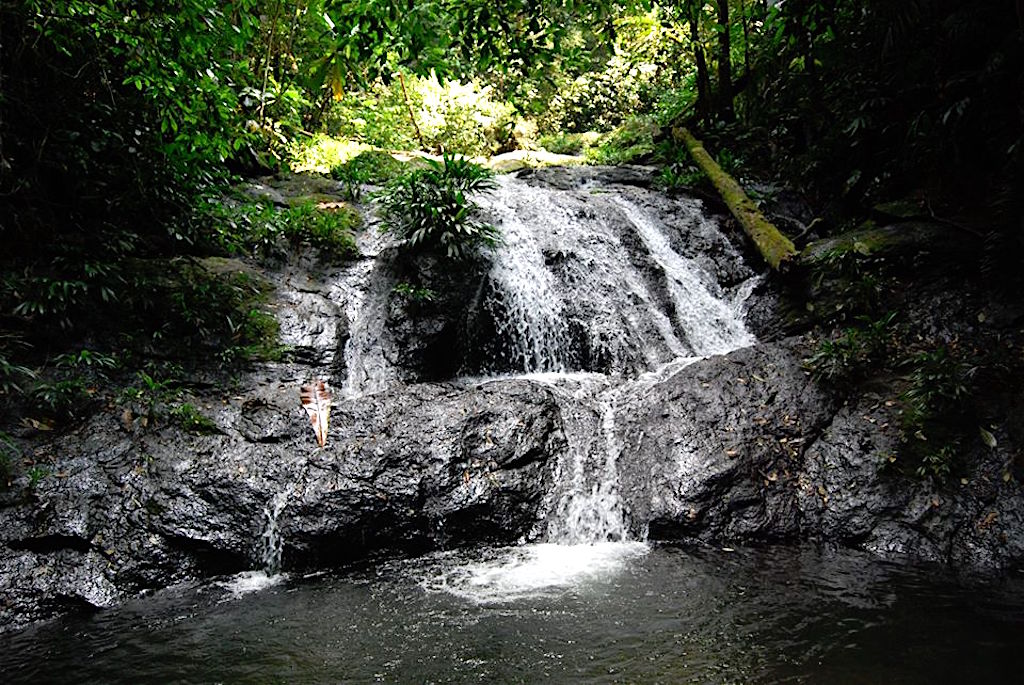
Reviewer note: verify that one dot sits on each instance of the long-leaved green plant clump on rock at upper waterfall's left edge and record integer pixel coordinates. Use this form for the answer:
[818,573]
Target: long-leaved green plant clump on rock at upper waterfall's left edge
[431,208]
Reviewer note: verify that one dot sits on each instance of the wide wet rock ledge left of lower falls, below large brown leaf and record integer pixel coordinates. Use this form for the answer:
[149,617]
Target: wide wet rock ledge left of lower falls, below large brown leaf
[412,472]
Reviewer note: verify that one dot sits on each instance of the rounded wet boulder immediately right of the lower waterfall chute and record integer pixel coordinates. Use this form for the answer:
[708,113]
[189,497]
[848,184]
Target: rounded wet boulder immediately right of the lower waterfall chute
[716,450]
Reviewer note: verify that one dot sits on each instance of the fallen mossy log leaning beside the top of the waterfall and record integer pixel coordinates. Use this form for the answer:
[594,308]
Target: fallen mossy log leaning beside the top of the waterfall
[777,249]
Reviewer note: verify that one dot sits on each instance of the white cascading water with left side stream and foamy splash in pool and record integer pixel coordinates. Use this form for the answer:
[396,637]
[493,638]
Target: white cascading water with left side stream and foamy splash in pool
[591,296]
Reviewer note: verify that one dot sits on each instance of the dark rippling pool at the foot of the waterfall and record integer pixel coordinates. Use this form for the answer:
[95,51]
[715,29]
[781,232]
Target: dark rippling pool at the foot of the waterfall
[668,616]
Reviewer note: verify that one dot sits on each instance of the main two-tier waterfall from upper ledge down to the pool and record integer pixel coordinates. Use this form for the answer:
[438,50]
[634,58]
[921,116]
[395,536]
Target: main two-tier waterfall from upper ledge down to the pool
[602,264]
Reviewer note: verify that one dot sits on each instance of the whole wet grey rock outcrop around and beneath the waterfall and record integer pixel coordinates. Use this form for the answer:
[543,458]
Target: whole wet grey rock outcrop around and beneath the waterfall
[741,448]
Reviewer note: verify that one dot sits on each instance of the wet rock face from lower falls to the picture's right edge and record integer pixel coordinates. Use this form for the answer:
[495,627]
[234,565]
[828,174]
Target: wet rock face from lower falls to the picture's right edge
[748,448]
